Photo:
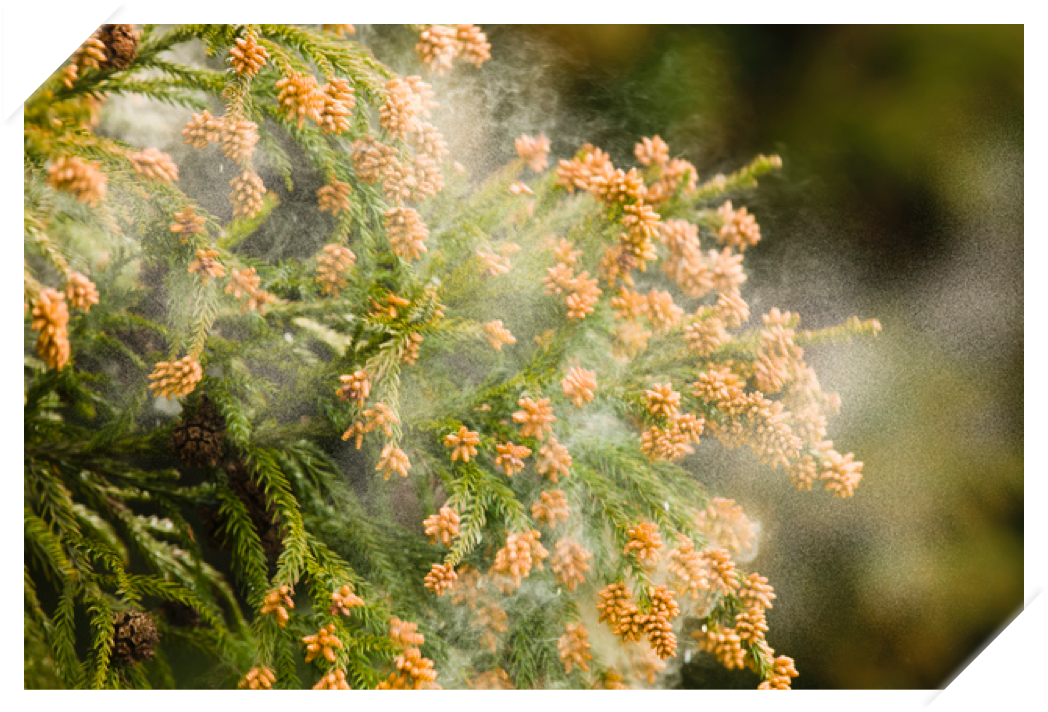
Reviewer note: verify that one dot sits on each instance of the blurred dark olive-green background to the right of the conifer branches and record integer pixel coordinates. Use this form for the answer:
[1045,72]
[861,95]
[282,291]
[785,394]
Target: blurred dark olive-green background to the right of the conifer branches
[901,200]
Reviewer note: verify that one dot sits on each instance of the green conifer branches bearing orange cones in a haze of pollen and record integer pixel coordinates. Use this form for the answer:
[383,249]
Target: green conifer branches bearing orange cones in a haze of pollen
[241,509]
